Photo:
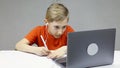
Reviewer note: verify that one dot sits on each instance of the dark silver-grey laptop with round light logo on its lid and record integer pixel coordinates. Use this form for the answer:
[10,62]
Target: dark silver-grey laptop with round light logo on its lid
[90,48]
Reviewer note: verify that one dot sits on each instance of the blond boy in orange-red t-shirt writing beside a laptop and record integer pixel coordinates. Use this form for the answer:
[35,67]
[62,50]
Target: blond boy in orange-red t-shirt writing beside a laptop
[54,34]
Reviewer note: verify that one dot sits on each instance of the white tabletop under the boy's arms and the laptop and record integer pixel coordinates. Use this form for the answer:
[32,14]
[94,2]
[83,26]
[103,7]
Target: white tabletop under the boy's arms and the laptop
[17,59]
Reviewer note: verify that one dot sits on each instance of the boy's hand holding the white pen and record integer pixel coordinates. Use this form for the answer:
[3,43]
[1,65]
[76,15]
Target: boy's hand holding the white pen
[42,51]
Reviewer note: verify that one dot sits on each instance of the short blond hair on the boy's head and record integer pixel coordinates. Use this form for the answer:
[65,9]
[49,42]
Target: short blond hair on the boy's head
[56,12]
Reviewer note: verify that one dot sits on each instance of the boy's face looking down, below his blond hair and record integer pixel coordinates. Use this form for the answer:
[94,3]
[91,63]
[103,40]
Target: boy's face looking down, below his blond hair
[57,28]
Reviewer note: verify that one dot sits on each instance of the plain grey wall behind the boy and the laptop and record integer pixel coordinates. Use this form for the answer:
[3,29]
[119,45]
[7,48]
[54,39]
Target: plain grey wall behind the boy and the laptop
[18,17]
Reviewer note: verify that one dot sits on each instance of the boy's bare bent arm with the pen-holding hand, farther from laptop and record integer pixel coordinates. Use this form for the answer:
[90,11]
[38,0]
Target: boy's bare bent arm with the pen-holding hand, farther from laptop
[23,45]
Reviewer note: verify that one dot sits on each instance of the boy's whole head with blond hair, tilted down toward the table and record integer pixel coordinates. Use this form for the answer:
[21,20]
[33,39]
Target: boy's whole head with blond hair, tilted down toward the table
[57,18]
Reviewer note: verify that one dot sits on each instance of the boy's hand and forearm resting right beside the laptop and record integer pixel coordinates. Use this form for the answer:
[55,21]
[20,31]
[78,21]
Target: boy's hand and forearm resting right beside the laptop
[58,53]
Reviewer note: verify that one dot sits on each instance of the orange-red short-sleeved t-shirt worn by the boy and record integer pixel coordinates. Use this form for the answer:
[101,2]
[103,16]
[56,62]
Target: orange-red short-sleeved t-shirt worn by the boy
[52,43]
